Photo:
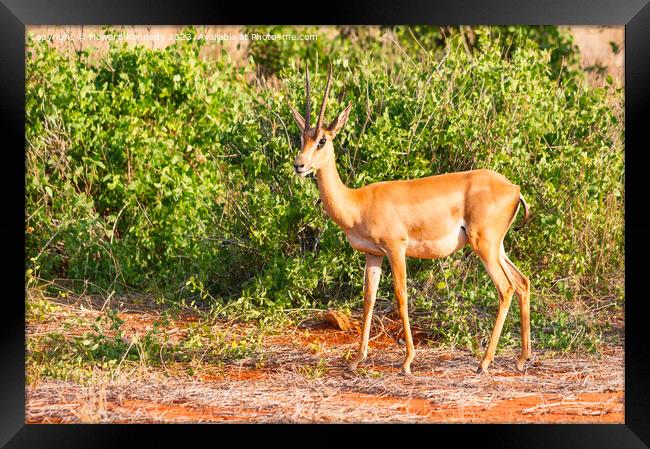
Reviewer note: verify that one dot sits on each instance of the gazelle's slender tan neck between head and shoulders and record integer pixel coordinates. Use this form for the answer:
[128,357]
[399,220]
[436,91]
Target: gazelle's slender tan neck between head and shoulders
[336,197]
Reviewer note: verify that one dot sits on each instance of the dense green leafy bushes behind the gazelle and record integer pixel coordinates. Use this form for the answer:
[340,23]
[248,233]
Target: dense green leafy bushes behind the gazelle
[162,171]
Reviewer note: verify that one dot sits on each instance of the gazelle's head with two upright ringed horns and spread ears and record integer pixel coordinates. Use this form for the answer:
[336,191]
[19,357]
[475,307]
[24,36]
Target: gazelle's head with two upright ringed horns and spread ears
[316,143]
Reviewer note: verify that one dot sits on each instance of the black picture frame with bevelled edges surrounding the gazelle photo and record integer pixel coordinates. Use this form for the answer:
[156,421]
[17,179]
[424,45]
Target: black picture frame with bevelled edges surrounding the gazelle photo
[633,14]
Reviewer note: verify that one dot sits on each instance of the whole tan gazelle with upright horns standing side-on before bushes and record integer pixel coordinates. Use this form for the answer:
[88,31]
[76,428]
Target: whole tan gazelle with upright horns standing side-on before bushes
[425,218]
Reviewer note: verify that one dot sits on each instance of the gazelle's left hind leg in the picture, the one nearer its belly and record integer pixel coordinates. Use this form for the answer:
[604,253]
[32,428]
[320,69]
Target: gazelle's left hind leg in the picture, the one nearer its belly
[488,250]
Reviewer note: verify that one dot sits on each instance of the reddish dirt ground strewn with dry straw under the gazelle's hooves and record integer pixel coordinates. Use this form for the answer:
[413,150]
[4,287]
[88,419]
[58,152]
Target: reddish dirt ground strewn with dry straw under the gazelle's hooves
[299,376]
